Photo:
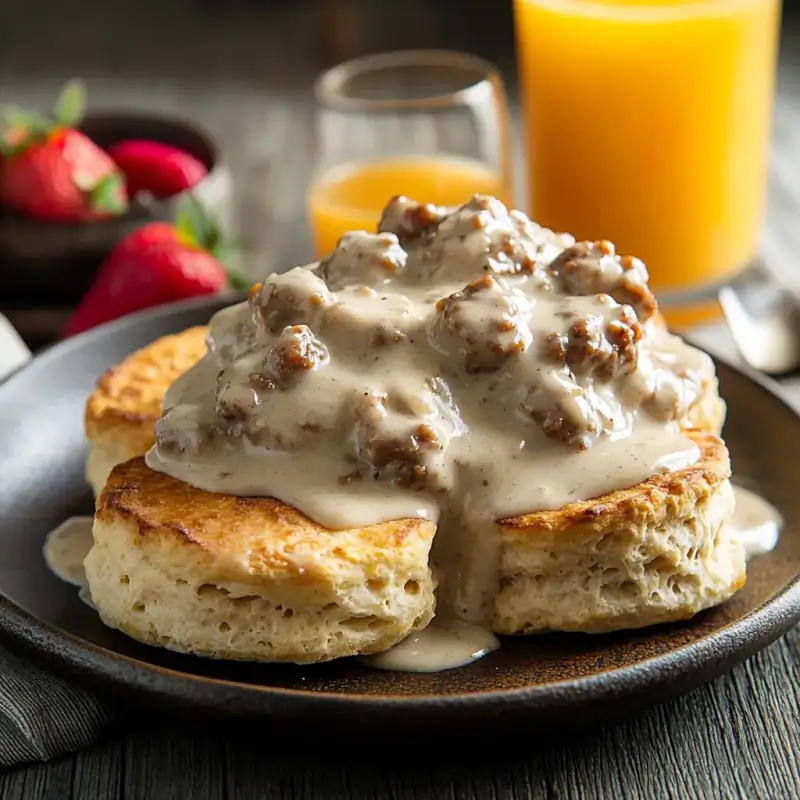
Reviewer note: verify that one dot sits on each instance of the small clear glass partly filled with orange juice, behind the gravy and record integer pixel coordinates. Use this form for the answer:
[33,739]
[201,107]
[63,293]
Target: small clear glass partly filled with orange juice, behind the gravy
[431,125]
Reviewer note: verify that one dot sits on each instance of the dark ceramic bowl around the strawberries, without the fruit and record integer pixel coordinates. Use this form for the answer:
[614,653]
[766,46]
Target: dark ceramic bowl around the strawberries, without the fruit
[49,263]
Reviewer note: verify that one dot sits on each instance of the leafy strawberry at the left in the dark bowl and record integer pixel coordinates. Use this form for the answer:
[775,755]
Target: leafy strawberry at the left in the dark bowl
[53,172]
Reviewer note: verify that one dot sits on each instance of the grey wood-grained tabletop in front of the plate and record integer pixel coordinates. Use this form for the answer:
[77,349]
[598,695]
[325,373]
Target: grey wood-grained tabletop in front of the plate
[735,738]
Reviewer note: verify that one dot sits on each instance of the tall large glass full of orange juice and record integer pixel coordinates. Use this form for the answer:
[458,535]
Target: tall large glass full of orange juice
[648,123]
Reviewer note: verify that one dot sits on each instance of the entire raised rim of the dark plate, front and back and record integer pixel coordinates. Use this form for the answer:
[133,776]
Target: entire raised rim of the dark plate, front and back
[708,656]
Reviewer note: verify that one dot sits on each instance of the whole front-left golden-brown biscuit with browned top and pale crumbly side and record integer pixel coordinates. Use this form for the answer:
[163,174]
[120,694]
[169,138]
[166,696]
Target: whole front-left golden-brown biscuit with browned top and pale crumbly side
[251,578]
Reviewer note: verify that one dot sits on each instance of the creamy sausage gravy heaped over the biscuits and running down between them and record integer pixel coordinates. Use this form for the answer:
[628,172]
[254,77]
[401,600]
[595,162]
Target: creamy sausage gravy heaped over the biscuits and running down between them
[462,365]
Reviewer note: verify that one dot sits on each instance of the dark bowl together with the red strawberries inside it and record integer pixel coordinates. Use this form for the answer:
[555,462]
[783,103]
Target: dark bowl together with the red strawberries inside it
[74,185]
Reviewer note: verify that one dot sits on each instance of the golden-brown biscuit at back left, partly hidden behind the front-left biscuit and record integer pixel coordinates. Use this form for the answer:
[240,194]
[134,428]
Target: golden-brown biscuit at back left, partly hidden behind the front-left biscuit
[122,411]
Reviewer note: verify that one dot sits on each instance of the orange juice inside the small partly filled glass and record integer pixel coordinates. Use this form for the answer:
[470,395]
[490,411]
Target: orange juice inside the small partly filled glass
[352,197]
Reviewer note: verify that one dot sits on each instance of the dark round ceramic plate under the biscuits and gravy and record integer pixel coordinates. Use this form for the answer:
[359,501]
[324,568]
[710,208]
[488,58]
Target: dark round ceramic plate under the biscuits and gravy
[546,683]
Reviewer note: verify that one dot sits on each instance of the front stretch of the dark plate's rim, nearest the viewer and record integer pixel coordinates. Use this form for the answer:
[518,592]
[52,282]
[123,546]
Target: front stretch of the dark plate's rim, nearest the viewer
[711,655]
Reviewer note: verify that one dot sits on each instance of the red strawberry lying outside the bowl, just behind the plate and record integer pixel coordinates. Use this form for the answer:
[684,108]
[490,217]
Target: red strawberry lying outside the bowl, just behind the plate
[156,264]
